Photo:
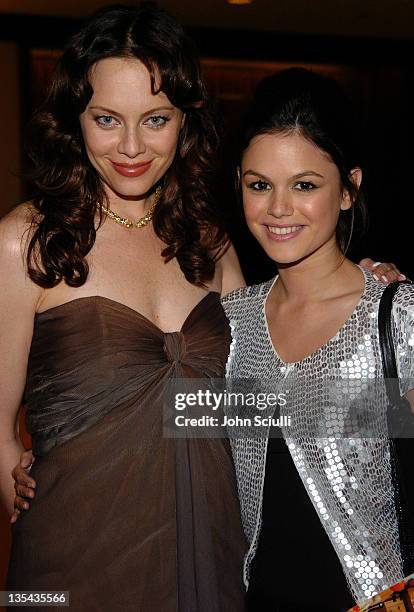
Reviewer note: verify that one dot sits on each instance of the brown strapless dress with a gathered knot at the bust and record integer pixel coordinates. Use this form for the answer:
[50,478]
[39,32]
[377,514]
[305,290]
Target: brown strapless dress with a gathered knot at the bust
[124,518]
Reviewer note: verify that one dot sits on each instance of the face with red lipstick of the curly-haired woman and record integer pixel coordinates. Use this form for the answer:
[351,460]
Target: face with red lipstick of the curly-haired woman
[130,134]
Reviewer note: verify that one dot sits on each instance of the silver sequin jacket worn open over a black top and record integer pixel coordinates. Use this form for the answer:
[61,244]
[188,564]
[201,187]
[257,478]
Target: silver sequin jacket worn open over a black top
[347,479]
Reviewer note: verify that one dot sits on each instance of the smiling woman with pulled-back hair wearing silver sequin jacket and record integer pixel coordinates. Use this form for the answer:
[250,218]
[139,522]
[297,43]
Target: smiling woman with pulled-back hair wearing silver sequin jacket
[318,506]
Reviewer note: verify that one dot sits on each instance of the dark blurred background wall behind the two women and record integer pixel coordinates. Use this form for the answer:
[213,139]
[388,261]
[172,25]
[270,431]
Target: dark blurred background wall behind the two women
[368,46]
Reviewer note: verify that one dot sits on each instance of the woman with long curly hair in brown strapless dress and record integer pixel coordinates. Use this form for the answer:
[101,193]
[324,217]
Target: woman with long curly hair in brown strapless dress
[111,286]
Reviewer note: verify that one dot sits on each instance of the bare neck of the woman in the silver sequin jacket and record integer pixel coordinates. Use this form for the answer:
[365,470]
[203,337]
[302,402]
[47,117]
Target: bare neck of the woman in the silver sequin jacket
[320,276]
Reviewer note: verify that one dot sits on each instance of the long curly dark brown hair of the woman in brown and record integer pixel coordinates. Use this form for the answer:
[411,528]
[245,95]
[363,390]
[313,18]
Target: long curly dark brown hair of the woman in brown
[68,189]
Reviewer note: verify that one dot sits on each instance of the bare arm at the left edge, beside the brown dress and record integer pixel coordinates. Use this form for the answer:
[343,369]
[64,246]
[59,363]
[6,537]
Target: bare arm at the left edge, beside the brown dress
[18,300]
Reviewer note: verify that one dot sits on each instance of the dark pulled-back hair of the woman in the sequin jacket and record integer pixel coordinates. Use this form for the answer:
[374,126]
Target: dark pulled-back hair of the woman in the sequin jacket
[300,101]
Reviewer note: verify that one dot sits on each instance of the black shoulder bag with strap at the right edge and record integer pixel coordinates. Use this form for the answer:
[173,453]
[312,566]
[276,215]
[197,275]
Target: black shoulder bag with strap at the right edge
[400,426]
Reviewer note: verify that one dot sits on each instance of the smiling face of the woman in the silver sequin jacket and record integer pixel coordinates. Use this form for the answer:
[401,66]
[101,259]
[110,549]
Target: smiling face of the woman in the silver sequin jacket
[292,196]
